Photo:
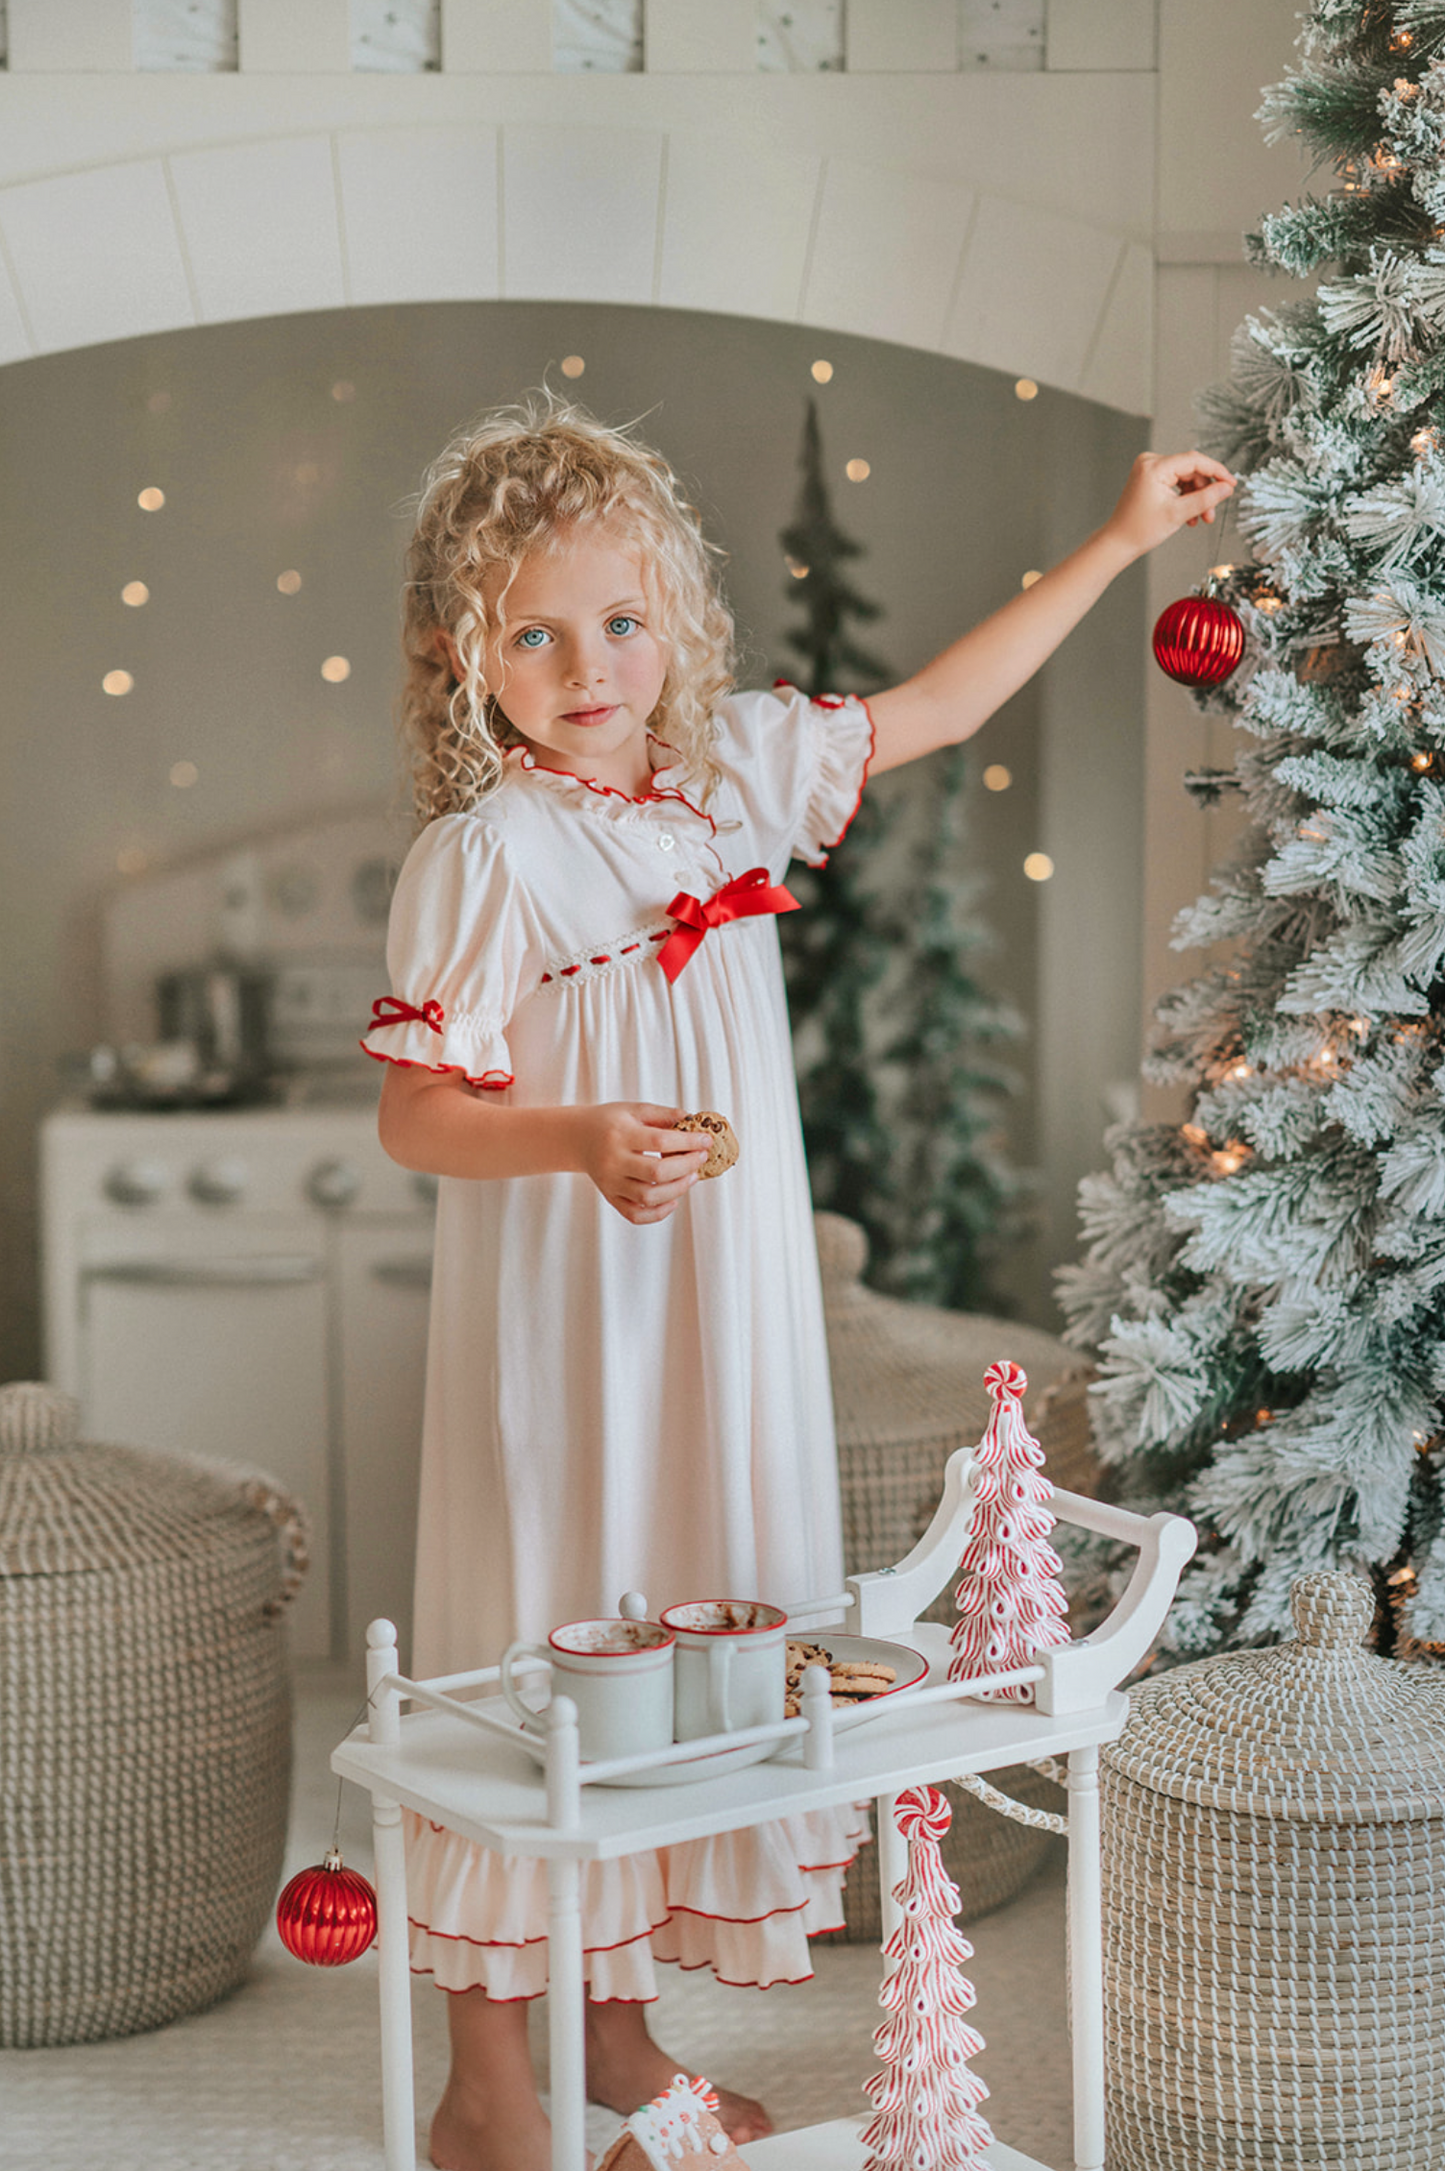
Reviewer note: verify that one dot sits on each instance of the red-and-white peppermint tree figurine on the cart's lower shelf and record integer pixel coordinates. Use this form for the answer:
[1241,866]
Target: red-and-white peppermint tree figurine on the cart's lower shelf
[928,2098]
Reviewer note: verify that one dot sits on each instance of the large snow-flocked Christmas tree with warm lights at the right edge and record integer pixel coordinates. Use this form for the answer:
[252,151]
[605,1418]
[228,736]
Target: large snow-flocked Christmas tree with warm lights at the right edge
[1266,1282]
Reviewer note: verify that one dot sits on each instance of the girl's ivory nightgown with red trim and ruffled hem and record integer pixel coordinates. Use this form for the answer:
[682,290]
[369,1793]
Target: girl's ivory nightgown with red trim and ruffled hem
[624,1408]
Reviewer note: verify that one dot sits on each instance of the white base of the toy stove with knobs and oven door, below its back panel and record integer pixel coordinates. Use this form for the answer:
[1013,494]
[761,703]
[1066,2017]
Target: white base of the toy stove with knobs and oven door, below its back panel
[253,1286]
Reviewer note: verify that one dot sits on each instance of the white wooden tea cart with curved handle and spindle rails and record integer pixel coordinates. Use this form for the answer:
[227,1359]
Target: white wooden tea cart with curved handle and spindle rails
[459,1757]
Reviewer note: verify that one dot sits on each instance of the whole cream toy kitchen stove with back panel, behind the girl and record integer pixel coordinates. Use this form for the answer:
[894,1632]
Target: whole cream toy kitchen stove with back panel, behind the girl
[251,1282]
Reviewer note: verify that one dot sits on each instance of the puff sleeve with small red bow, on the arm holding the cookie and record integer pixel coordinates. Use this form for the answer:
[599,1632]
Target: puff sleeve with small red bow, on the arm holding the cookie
[463,950]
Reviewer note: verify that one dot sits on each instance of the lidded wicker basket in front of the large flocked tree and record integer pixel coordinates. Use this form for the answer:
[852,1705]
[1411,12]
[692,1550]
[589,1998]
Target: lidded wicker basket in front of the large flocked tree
[1275,1907]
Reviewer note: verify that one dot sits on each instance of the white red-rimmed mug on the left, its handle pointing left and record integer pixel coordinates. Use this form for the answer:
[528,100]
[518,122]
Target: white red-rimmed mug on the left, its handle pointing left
[617,1673]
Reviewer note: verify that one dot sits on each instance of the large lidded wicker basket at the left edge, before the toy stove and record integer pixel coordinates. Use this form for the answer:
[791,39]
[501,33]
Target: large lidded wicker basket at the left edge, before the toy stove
[144,1727]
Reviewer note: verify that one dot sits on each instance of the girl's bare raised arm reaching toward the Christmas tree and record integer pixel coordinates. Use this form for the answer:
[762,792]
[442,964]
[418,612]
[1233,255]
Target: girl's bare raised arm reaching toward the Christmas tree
[960,689]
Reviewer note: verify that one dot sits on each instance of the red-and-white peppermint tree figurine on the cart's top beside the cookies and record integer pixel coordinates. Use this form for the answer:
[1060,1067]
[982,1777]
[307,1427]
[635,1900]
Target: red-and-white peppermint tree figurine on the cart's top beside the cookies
[1010,1597]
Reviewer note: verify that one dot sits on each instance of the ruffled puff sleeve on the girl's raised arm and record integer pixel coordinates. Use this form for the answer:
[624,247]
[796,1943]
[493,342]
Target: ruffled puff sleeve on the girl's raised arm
[800,765]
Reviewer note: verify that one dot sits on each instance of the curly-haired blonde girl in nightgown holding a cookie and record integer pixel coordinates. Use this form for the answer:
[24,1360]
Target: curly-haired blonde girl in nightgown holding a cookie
[628,1373]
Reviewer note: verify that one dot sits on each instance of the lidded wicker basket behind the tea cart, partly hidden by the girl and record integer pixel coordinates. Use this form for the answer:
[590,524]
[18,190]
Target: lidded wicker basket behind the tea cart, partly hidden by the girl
[908,1391]
